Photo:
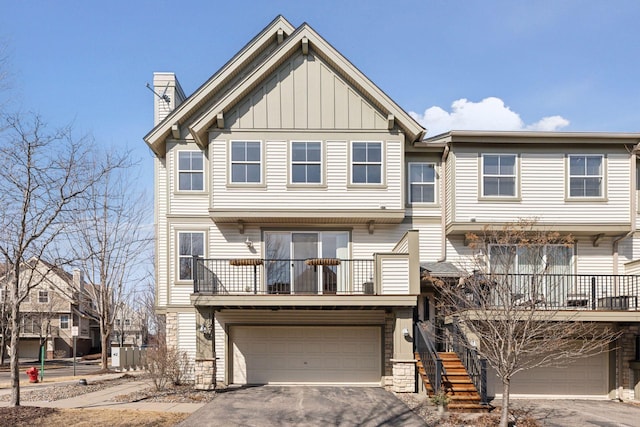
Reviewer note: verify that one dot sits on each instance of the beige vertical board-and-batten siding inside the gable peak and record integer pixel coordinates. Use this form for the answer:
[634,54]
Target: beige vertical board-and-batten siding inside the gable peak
[305,93]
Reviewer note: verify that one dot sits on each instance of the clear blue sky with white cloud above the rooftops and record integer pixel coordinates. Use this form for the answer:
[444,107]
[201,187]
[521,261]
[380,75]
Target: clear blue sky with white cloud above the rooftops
[549,65]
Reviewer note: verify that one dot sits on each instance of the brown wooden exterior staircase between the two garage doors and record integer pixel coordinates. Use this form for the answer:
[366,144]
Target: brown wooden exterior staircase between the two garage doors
[457,384]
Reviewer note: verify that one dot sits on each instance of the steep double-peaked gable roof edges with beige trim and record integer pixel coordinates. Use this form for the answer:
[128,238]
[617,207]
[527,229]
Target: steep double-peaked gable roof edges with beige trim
[304,37]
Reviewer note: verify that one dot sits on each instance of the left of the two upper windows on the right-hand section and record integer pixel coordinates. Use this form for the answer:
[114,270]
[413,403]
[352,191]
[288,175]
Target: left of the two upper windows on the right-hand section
[499,175]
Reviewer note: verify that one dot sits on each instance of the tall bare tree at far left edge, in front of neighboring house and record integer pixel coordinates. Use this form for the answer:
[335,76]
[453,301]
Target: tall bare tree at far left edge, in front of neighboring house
[41,174]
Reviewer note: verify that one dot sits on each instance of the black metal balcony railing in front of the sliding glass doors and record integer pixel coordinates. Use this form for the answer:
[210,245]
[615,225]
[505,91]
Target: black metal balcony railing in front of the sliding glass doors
[320,276]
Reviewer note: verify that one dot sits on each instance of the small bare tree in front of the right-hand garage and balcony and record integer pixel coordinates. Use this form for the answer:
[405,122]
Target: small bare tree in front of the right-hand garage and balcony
[508,309]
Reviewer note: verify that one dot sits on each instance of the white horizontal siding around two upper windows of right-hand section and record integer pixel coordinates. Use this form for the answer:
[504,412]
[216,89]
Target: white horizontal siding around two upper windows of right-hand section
[543,178]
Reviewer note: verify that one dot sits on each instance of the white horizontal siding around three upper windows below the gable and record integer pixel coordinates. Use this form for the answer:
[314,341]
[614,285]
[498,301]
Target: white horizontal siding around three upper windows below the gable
[337,193]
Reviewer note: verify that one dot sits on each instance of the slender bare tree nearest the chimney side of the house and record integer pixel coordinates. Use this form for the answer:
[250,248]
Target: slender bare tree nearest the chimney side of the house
[112,241]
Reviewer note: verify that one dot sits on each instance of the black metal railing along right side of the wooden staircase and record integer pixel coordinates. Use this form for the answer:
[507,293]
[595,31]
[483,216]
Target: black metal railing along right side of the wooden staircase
[475,365]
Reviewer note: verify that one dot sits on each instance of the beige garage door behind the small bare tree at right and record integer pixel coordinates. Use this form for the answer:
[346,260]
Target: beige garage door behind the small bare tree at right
[583,378]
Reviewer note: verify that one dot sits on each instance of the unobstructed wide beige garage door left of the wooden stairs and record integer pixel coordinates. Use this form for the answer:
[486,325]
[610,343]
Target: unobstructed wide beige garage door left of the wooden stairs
[306,355]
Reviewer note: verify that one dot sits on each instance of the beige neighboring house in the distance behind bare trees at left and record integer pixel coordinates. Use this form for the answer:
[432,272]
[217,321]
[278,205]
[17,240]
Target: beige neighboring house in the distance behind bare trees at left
[50,312]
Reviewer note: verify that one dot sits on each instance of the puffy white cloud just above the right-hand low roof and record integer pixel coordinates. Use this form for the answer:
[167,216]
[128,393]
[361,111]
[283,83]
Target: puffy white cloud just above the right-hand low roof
[488,114]
